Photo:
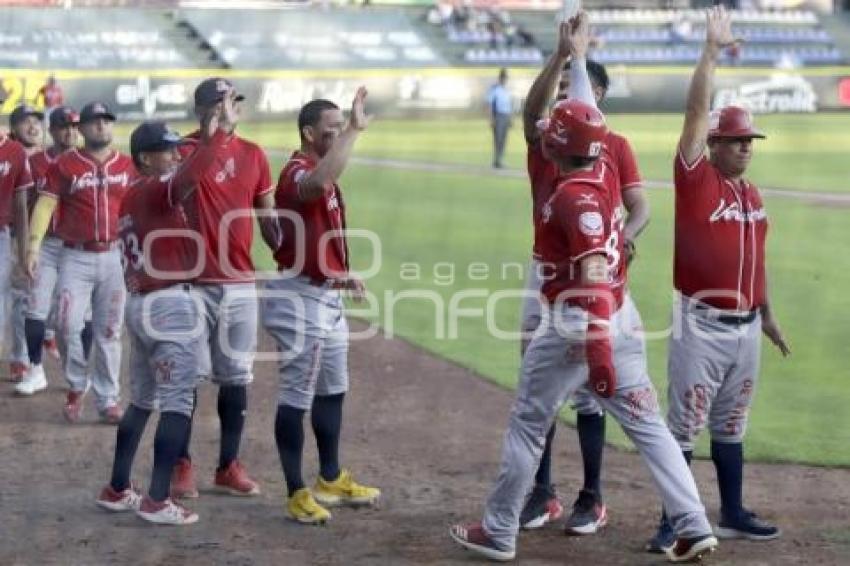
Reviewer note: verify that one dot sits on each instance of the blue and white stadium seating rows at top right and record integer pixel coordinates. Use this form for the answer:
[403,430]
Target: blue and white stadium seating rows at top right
[646,36]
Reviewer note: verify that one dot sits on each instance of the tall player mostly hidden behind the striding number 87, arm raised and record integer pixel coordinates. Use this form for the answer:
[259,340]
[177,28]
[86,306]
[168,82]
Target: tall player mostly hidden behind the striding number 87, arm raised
[589,512]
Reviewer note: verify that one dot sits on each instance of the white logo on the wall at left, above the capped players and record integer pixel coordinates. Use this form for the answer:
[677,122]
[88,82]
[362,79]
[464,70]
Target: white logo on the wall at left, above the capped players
[142,100]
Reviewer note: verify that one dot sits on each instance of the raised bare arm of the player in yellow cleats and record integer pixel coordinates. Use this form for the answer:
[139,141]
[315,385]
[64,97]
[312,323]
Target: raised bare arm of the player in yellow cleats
[331,166]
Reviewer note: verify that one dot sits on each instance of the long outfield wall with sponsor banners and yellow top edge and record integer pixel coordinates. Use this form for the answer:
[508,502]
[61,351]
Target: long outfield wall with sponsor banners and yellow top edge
[166,94]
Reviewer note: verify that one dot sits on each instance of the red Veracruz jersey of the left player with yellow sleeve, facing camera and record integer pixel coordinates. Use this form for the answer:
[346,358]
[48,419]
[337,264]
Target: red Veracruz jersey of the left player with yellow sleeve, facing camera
[89,193]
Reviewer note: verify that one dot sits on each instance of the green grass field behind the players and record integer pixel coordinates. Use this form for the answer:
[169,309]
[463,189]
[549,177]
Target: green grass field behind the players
[800,412]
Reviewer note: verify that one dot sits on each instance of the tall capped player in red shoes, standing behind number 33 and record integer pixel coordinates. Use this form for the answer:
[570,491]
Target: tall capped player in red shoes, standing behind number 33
[237,182]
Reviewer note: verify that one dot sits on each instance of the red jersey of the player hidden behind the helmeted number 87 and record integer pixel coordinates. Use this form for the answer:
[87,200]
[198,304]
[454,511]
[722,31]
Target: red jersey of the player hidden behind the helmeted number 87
[544,174]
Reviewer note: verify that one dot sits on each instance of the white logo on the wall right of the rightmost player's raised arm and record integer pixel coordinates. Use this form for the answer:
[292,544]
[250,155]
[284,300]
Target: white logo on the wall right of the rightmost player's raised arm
[781,93]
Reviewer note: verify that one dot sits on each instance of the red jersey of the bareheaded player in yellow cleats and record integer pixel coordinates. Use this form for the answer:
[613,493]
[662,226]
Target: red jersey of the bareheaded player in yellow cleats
[317,254]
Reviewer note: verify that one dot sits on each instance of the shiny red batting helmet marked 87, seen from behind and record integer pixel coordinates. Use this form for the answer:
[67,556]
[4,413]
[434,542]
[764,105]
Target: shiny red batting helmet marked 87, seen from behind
[574,129]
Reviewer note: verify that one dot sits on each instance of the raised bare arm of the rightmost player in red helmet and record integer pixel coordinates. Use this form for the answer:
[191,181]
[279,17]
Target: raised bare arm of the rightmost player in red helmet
[718,35]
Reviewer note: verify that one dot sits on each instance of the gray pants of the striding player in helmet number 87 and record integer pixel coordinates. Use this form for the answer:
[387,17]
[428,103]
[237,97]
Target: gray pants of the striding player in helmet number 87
[553,368]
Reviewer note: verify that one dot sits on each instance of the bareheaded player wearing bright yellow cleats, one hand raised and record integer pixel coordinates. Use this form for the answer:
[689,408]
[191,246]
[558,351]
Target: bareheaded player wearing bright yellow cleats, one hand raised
[303,309]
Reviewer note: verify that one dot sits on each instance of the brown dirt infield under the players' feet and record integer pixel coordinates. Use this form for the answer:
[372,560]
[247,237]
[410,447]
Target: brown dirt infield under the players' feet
[426,431]
